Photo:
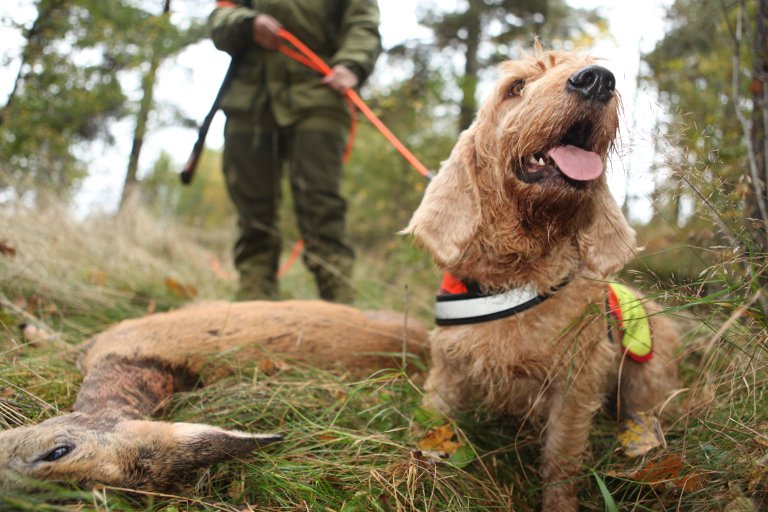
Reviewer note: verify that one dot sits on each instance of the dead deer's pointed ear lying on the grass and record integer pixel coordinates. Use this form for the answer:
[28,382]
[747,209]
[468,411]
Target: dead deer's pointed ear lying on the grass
[201,445]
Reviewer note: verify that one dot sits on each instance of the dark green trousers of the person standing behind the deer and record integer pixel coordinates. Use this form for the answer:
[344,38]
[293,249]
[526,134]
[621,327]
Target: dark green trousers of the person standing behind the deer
[254,159]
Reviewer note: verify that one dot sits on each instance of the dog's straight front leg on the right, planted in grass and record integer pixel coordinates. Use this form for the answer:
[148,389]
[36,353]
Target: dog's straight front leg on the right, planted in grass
[565,444]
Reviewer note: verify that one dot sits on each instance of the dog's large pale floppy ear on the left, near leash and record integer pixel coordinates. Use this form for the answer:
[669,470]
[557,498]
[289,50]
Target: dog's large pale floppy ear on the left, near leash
[449,213]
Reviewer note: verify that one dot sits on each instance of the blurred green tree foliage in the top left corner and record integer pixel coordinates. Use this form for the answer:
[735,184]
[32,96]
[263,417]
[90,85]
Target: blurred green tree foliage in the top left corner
[70,85]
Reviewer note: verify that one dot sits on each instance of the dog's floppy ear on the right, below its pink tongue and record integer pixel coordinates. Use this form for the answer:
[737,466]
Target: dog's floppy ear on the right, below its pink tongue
[608,243]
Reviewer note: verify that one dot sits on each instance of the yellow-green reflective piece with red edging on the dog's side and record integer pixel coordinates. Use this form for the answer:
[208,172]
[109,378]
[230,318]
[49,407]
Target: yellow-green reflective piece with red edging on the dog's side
[632,320]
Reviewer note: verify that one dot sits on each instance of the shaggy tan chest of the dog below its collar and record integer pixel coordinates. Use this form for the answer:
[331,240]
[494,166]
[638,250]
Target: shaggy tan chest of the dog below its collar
[515,364]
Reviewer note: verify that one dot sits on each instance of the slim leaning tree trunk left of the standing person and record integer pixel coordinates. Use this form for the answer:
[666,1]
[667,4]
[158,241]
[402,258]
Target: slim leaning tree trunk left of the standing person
[131,185]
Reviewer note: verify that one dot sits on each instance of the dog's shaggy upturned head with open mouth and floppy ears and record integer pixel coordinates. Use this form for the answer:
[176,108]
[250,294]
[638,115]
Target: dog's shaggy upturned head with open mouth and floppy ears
[527,177]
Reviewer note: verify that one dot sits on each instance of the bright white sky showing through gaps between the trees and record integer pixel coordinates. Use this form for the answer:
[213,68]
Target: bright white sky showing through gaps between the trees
[192,79]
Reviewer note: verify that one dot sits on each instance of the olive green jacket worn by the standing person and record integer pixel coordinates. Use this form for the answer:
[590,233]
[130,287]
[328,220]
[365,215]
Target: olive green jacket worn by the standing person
[340,31]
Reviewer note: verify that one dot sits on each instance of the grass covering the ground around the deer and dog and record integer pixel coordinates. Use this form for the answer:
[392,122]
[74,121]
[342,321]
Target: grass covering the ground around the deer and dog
[351,445]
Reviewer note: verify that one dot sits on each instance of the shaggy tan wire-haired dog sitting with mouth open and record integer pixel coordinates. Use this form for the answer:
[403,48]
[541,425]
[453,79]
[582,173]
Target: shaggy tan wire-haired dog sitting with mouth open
[521,214]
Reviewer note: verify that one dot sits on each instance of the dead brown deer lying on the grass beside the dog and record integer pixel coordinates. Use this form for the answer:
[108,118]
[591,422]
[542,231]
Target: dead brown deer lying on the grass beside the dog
[133,368]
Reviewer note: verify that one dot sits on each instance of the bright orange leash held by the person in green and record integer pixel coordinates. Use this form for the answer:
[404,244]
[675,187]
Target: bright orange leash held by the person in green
[306,56]
